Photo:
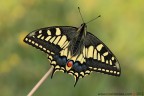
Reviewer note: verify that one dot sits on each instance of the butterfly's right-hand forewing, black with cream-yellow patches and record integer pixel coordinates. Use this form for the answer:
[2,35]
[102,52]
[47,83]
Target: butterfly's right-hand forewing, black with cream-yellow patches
[99,58]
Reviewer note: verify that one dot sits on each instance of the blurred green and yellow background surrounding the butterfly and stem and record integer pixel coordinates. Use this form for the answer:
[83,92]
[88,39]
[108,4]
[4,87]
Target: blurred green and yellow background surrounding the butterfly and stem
[120,28]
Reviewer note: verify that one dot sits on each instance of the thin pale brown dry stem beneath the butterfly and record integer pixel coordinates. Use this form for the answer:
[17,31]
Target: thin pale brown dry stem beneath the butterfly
[40,82]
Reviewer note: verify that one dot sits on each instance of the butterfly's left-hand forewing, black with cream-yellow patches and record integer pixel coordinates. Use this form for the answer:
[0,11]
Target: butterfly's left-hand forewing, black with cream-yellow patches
[50,39]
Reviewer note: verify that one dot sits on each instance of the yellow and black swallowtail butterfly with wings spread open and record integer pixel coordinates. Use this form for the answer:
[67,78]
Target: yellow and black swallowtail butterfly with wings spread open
[74,50]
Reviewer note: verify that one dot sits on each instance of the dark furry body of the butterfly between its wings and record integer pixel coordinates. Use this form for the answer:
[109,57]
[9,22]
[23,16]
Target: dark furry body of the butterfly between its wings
[77,43]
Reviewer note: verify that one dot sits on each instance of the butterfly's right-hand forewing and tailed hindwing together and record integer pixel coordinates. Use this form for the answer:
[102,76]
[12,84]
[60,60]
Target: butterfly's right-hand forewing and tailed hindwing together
[95,56]
